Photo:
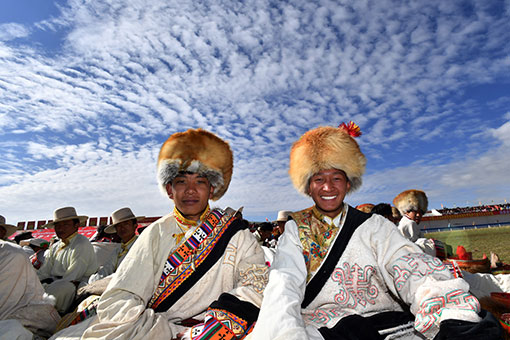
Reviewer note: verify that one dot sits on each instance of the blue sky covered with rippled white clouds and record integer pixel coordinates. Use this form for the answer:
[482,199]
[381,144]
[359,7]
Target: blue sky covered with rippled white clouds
[90,90]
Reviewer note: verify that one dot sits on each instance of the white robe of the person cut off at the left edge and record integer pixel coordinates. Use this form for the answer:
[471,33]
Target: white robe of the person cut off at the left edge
[24,308]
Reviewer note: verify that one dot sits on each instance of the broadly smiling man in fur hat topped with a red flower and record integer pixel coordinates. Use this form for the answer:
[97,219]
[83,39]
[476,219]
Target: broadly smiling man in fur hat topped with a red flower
[340,273]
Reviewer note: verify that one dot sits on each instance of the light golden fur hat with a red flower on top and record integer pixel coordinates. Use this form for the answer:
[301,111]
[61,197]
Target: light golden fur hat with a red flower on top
[327,148]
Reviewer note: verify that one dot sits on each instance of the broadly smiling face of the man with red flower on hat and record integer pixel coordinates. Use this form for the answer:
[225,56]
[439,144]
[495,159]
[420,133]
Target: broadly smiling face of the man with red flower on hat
[328,189]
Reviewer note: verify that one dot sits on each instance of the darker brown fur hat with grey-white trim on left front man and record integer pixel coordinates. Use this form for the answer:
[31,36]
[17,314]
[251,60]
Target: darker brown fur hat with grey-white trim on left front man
[197,151]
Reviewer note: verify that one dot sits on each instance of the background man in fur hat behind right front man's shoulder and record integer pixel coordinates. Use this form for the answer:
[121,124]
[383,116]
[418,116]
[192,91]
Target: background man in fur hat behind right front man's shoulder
[413,204]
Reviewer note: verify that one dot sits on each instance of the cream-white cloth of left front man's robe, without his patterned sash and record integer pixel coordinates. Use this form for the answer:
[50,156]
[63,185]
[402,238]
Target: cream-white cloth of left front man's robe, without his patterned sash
[122,311]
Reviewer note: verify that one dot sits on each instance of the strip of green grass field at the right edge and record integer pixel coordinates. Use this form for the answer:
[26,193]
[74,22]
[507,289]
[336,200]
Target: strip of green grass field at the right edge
[478,241]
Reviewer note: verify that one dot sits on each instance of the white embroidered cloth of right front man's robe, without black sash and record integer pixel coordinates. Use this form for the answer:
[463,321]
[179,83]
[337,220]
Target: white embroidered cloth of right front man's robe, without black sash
[377,265]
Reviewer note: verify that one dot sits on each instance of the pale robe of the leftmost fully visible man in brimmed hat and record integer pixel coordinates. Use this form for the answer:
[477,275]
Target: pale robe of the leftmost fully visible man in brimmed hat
[66,261]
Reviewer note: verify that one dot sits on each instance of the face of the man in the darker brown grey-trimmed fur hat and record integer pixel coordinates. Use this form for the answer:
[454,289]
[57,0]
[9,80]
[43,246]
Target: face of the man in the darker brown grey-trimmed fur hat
[191,194]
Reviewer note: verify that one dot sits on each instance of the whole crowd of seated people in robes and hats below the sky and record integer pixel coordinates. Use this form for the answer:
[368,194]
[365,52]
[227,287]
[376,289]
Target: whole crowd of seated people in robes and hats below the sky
[330,271]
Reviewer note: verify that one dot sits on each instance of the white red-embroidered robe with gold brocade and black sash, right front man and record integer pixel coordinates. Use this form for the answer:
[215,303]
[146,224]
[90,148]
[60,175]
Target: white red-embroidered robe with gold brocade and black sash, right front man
[378,272]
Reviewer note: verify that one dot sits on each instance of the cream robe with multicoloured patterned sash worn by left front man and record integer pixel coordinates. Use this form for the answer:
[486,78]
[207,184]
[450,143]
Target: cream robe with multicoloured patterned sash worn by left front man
[216,286]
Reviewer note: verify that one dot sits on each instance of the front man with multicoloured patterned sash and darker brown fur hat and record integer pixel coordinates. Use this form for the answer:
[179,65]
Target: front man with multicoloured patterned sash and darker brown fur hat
[194,269]
